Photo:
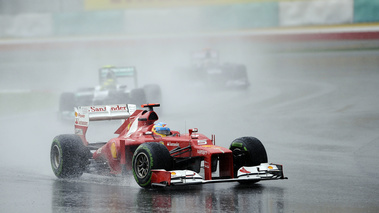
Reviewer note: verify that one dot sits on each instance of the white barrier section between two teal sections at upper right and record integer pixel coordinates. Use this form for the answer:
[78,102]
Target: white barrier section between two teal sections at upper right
[315,12]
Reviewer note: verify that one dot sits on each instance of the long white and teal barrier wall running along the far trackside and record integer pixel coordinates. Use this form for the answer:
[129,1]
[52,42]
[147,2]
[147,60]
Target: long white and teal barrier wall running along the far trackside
[239,15]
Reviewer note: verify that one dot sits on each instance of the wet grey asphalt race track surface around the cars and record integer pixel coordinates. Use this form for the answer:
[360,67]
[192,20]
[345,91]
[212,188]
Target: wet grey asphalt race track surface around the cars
[316,113]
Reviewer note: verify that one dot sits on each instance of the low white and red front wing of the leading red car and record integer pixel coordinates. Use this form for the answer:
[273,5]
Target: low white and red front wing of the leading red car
[264,171]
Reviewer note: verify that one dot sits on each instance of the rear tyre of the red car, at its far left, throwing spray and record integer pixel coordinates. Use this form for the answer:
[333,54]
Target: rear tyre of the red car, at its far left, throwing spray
[68,156]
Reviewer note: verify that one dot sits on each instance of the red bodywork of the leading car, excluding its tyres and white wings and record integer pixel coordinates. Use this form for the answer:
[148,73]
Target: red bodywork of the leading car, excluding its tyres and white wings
[137,129]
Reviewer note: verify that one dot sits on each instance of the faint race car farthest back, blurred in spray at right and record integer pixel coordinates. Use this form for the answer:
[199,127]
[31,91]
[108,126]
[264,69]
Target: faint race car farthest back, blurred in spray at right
[206,68]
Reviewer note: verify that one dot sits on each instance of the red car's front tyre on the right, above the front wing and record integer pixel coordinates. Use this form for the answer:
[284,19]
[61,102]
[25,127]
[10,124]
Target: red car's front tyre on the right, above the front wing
[247,151]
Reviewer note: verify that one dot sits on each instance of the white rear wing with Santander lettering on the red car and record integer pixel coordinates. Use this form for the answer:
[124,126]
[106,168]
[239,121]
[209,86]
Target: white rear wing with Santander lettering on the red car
[85,114]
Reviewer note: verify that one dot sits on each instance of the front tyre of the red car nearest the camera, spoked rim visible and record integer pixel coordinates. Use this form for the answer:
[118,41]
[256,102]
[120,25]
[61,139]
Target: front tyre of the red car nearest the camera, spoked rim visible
[149,156]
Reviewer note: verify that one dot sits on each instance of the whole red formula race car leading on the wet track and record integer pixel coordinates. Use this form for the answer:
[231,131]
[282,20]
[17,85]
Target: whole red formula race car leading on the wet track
[156,155]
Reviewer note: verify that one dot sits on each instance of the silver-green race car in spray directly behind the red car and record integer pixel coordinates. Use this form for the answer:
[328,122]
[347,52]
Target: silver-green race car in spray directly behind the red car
[109,91]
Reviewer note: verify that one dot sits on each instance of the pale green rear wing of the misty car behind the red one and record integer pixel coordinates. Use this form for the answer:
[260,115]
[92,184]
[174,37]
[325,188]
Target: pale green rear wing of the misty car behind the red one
[118,72]
